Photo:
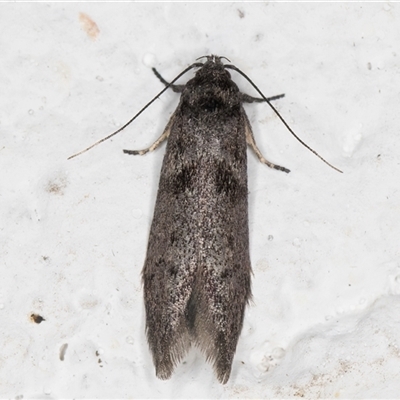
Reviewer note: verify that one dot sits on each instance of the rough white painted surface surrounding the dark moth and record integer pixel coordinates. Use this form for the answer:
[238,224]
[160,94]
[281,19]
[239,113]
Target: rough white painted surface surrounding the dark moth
[325,320]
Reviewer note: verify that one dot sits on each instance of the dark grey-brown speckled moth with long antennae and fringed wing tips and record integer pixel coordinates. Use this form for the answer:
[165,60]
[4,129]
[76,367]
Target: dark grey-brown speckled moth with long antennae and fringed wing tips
[196,275]
